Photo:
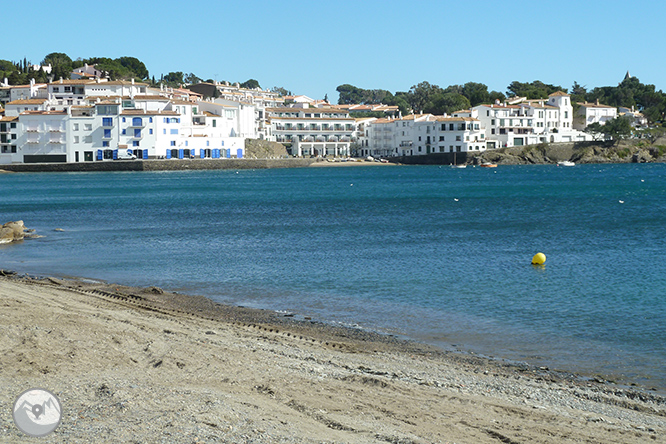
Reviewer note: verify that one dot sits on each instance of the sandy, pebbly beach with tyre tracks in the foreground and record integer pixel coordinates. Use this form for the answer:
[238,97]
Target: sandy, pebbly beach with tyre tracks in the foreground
[142,365]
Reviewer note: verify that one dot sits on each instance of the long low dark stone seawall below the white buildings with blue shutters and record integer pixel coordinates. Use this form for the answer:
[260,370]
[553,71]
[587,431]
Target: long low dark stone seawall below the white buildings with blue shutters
[162,165]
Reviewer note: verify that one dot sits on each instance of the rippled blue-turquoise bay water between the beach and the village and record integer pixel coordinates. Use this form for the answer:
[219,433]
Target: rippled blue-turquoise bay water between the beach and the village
[440,255]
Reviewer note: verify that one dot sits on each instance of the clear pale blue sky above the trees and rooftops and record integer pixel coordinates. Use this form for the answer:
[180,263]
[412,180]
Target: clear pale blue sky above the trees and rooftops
[311,47]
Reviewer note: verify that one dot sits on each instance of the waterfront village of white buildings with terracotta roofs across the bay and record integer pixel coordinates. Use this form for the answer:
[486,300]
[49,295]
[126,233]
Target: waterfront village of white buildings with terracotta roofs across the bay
[89,118]
